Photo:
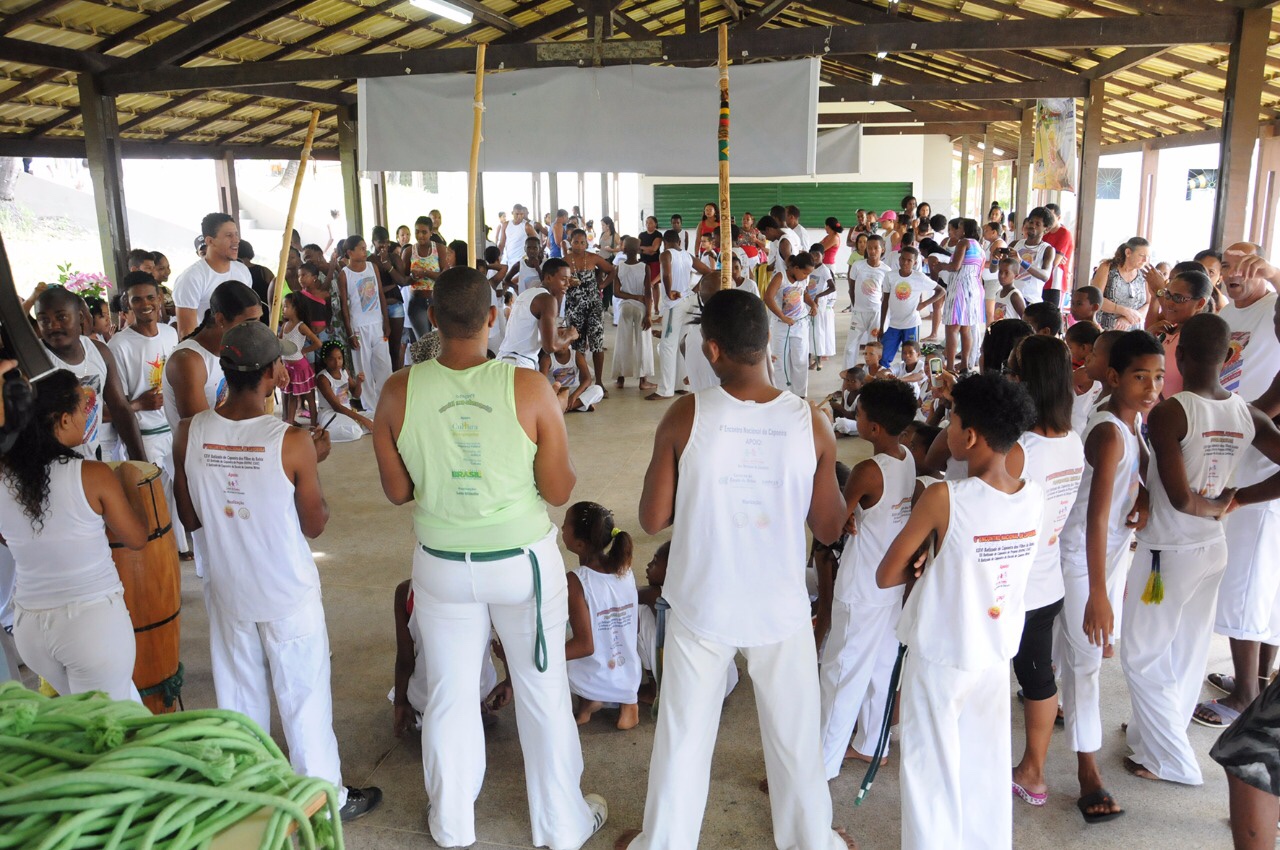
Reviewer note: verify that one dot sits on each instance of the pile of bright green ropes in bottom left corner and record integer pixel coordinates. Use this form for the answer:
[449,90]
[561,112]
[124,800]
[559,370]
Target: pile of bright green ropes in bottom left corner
[84,771]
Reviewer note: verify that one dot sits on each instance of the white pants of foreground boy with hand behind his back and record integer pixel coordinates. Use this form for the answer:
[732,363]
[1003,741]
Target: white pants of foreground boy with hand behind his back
[956,757]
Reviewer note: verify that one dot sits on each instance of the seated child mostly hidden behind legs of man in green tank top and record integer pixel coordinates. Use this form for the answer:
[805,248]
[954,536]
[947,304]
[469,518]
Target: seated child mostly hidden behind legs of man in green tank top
[409,696]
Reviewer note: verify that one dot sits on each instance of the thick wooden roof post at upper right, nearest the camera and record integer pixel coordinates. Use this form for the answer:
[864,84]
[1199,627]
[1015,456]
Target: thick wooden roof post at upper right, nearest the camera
[1242,102]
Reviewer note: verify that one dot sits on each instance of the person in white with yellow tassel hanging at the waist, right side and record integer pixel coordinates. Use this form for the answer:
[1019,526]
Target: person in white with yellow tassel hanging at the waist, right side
[1199,440]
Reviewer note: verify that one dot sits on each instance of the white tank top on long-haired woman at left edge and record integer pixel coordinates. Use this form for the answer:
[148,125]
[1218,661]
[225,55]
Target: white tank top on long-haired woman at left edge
[68,559]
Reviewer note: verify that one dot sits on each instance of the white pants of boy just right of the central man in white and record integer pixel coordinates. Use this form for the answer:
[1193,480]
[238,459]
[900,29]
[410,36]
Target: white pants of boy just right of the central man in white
[857,665]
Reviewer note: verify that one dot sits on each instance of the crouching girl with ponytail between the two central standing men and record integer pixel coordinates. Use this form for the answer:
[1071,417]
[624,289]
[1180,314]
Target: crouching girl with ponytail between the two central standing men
[604,660]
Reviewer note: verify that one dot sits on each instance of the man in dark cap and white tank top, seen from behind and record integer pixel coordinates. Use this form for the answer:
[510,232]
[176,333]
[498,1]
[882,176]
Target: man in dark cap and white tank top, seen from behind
[252,483]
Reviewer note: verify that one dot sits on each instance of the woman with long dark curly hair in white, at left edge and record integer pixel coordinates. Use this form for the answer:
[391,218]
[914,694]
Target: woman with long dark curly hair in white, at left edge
[71,624]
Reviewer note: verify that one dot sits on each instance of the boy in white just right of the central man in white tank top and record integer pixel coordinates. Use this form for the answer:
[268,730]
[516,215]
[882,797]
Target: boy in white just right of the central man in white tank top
[863,615]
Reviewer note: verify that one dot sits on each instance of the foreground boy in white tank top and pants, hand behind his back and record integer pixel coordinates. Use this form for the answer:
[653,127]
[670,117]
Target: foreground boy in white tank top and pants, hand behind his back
[963,624]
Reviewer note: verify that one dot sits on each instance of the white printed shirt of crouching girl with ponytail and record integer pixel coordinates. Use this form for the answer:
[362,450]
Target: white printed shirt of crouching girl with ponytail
[611,674]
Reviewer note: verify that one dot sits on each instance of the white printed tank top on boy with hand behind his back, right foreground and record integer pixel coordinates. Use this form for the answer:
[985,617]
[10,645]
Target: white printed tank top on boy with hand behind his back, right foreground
[967,610]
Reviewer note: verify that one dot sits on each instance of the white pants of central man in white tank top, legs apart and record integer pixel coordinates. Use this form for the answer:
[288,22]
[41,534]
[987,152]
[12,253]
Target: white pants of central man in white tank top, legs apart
[787,698]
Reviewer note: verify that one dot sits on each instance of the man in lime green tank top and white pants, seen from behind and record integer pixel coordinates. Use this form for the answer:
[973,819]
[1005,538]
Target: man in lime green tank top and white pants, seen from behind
[481,447]
